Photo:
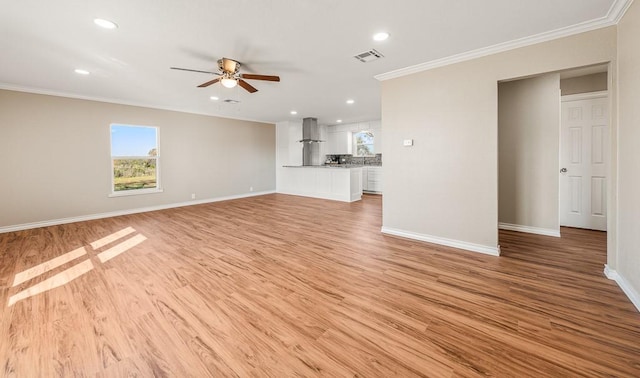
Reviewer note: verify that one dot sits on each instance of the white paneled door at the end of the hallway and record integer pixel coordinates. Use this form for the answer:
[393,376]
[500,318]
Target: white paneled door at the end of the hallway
[584,150]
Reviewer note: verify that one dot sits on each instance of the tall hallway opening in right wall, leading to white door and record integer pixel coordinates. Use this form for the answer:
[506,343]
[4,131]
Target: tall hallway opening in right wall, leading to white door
[532,191]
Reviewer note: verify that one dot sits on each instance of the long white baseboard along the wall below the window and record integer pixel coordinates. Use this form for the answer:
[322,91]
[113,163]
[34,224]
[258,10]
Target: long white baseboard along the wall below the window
[82,218]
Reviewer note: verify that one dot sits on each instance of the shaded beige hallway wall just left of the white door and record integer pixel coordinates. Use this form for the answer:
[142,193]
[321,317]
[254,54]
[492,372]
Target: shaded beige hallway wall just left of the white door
[528,145]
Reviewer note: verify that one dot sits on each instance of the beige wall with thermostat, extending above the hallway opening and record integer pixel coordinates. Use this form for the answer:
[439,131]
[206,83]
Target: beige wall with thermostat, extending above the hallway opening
[445,187]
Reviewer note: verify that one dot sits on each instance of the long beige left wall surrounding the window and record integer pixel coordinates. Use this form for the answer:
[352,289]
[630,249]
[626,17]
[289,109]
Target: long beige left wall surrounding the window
[55,157]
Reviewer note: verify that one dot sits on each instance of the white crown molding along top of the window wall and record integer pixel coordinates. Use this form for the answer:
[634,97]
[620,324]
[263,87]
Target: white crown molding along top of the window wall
[46,92]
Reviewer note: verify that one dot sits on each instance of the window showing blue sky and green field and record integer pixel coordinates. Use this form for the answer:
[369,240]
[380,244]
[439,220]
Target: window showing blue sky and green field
[134,160]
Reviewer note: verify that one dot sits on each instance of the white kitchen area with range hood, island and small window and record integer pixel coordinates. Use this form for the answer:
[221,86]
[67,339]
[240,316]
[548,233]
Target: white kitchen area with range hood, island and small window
[336,162]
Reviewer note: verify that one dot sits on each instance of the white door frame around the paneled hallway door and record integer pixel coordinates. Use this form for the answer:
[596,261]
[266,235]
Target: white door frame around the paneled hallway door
[579,97]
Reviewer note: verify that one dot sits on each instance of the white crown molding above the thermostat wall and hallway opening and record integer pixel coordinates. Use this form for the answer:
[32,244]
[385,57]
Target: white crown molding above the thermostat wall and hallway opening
[614,15]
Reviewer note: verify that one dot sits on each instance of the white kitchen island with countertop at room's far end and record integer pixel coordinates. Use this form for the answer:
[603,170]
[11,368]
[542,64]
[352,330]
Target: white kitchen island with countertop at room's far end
[322,181]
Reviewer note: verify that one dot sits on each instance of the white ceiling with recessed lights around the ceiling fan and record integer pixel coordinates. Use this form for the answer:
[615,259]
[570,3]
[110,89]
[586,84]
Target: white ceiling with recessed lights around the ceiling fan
[309,44]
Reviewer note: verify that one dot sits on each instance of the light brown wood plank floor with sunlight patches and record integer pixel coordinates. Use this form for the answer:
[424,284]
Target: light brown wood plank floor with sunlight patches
[282,286]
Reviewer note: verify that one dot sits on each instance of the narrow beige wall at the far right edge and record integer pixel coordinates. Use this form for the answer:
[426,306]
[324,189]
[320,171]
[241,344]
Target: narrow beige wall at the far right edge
[627,261]
